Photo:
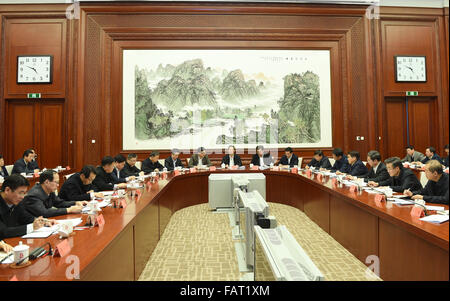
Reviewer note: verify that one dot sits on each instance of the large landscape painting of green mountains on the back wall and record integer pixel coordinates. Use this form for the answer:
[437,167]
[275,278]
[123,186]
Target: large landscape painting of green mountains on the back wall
[213,98]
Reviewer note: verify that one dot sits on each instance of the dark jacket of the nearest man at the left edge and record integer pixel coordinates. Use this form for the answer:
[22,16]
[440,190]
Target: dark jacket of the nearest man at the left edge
[14,221]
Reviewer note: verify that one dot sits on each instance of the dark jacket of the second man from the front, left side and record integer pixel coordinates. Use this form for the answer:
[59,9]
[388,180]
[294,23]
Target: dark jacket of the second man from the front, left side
[38,203]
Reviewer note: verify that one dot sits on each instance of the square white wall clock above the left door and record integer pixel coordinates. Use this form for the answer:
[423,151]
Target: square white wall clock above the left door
[34,69]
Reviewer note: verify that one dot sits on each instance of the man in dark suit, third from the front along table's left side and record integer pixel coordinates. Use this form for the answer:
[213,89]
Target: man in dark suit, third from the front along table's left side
[79,186]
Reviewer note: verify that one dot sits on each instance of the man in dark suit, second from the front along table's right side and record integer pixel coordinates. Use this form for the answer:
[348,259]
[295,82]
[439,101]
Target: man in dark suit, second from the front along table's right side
[400,178]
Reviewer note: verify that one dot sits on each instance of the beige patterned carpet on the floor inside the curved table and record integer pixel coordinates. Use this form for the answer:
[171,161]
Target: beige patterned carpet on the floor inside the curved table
[197,245]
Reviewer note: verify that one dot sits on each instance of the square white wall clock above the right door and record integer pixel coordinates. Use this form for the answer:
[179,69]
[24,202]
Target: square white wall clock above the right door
[410,69]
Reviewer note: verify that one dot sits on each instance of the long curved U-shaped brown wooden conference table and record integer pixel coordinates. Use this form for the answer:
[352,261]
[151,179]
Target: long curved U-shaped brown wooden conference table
[406,247]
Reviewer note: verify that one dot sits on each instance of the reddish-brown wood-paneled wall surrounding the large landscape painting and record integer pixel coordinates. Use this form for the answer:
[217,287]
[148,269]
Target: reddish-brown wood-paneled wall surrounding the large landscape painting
[88,58]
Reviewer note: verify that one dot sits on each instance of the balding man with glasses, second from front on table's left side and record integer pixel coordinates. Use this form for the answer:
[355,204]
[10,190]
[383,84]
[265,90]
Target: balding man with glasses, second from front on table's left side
[41,199]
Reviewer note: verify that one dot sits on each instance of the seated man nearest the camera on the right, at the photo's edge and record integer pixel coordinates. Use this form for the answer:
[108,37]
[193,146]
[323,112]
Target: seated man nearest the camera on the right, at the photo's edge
[436,190]
